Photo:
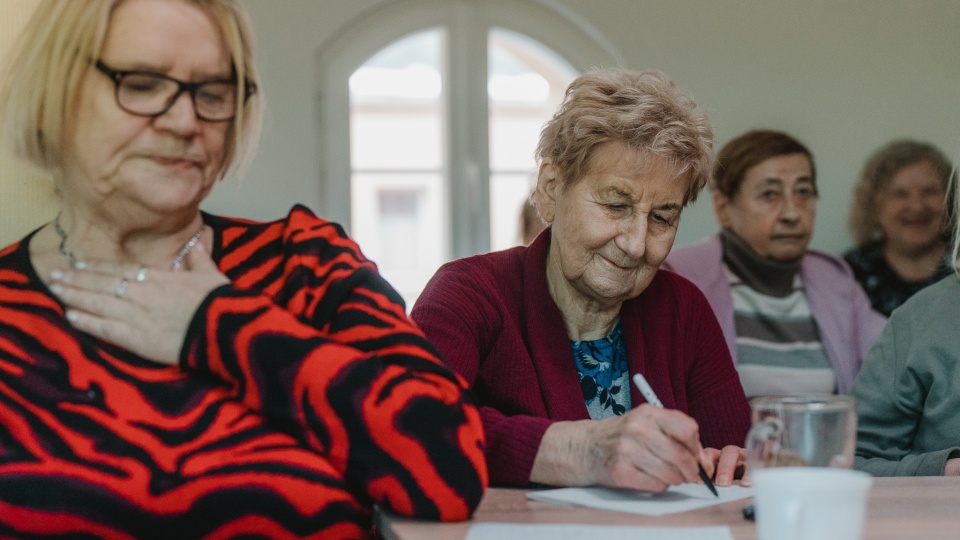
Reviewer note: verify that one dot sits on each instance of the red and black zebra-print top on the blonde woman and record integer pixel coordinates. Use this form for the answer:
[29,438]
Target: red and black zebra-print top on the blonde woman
[304,396]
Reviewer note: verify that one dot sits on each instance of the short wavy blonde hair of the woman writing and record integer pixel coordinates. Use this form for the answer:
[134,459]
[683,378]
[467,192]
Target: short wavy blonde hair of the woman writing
[644,110]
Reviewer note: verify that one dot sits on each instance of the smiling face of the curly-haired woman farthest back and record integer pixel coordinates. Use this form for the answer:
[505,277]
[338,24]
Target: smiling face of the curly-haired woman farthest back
[910,209]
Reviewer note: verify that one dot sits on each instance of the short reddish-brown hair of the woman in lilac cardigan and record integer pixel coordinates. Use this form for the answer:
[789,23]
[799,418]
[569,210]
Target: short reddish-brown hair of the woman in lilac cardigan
[750,149]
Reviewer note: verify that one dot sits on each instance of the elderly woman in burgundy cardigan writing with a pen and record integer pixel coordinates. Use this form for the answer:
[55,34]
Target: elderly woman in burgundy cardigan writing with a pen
[549,335]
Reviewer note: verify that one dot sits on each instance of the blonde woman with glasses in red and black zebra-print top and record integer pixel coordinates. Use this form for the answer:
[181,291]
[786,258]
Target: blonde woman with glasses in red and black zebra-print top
[170,373]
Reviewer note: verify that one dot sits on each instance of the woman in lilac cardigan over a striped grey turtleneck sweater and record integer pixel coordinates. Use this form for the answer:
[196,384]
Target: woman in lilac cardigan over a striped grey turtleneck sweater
[794,318]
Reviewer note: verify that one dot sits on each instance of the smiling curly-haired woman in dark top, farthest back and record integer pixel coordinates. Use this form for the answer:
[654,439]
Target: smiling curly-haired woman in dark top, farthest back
[898,222]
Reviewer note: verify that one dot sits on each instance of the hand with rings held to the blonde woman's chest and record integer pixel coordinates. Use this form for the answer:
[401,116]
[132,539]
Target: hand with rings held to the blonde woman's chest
[144,310]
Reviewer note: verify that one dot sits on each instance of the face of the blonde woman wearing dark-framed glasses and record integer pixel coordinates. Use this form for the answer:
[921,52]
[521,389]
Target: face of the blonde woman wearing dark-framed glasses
[153,164]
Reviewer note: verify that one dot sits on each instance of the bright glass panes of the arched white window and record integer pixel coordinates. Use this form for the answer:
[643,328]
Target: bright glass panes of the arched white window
[399,182]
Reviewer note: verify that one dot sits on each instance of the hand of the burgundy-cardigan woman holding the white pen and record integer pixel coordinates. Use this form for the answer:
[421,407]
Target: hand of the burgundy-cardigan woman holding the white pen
[647,448]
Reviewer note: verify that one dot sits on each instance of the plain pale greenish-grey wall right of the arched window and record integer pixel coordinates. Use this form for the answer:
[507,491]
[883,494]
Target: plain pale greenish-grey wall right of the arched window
[843,76]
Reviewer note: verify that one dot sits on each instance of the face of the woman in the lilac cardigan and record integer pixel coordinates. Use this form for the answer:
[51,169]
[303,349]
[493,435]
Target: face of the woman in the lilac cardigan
[774,209]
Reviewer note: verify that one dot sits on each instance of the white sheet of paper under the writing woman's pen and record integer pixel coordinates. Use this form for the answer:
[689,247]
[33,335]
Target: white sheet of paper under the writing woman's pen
[676,499]
